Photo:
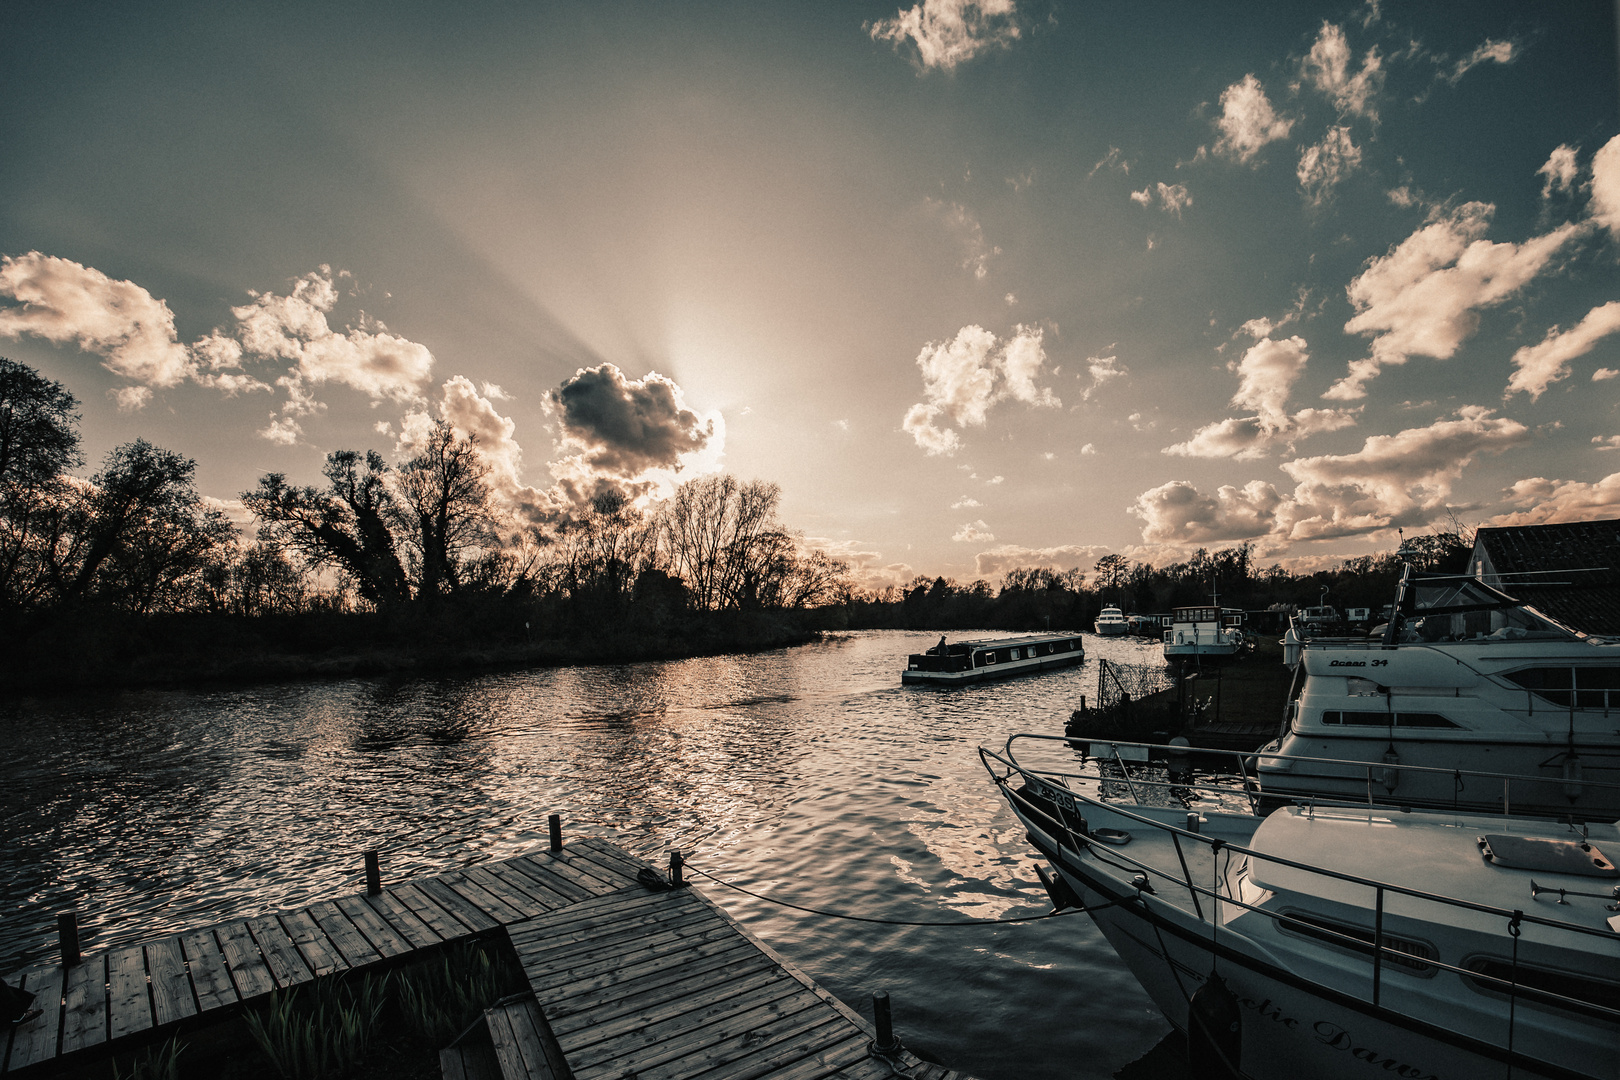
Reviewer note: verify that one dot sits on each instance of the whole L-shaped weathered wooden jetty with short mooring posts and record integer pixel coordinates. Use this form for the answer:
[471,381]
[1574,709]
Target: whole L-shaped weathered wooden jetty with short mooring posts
[628,982]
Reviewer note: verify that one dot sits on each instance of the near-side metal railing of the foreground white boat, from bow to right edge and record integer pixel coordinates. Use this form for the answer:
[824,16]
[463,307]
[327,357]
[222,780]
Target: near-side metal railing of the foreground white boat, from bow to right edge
[1055,788]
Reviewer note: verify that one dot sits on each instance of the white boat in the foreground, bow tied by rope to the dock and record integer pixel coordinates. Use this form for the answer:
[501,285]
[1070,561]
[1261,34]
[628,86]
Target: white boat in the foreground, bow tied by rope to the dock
[1334,942]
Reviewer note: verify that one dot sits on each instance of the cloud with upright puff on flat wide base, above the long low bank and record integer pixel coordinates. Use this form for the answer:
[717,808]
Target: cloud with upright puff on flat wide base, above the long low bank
[1268,375]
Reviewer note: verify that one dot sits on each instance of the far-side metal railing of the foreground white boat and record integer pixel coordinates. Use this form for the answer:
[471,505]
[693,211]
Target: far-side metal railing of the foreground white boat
[1243,772]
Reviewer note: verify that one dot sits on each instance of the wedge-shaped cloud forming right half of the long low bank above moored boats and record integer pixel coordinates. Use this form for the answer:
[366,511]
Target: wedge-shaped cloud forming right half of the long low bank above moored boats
[1394,480]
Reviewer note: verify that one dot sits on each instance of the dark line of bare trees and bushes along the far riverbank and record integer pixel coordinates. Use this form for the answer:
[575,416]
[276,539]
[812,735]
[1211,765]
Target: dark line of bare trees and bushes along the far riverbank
[130,577]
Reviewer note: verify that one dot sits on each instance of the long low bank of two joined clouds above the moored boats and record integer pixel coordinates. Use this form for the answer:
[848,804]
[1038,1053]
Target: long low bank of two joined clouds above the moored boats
[1400,480]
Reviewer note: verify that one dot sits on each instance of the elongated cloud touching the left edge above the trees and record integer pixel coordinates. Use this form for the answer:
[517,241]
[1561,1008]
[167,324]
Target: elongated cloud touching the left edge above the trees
[134,333]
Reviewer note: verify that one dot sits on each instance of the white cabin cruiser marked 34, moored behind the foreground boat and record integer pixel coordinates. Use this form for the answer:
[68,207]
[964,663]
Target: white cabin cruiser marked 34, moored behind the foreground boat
[1464,678]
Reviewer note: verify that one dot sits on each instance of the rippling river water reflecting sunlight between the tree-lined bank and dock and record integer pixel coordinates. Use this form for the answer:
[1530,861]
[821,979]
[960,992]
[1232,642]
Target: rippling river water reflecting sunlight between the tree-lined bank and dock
[808,775]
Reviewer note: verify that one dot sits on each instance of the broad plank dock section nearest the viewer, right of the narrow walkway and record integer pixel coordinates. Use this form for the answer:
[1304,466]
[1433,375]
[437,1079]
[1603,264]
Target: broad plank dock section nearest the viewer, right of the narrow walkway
[665,987]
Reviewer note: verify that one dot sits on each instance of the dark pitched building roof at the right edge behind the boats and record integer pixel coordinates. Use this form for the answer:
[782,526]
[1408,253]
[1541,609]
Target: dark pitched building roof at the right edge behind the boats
[1587,600]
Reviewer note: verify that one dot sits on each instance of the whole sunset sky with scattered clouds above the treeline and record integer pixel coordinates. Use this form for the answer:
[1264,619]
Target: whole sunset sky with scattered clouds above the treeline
[981,284]
